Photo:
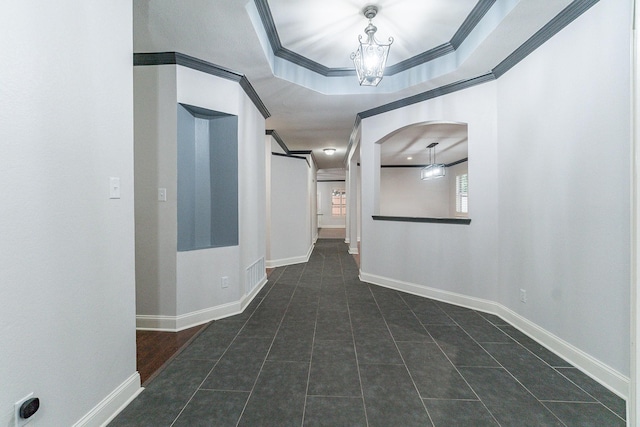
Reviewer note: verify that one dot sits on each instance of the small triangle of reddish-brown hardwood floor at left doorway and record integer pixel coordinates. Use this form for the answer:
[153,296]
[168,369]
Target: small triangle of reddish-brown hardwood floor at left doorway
[154,349]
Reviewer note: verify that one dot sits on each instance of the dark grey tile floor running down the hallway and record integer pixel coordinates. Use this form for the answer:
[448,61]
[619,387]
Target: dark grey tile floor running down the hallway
[317,347]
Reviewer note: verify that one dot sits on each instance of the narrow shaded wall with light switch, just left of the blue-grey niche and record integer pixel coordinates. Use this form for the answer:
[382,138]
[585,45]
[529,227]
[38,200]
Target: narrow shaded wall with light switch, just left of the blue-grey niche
[156,128]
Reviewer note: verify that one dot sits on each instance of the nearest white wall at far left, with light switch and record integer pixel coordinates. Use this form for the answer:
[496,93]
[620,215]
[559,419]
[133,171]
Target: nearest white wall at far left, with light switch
[67,250]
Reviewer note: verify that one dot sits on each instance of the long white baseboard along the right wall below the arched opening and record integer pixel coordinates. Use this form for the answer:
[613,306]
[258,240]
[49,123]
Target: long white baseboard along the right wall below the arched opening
[604,374]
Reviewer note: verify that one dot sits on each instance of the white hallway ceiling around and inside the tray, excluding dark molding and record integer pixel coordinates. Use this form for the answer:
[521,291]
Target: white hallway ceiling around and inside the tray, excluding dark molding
[310,111]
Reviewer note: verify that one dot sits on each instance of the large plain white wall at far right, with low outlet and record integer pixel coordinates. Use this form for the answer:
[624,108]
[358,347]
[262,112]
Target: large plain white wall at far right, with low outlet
[565,184]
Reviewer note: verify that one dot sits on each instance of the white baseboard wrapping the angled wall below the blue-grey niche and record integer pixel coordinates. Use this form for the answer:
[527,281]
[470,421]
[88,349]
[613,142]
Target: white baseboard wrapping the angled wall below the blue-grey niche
[195,318]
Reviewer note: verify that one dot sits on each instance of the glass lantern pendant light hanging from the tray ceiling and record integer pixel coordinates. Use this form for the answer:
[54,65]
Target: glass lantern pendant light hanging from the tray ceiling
[371,56]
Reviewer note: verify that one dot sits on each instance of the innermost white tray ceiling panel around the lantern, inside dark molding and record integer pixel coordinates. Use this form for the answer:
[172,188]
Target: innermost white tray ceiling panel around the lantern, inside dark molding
[327,31]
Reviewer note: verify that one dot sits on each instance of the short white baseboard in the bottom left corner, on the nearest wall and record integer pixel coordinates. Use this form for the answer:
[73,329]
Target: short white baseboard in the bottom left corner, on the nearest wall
[105,411]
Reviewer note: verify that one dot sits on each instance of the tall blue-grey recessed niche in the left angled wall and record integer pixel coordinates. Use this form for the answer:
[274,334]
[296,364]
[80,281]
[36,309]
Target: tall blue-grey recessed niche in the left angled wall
[207,178]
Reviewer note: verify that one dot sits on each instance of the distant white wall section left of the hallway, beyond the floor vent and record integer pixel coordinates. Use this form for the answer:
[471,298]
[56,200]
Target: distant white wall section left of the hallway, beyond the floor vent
[291,235]
